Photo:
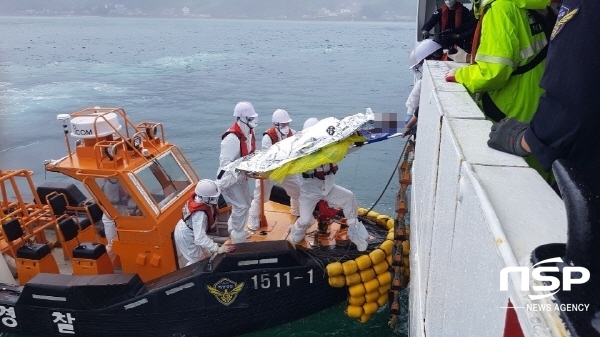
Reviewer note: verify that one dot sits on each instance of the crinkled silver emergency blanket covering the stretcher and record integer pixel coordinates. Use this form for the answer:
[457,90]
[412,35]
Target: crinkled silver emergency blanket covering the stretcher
[305,142]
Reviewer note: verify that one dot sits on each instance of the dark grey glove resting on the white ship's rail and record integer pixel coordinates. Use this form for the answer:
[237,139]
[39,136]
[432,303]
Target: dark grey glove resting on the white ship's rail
[506,136]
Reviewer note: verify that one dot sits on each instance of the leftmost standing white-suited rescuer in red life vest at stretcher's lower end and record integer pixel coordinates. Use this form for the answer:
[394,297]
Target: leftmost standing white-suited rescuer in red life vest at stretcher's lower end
[238,141]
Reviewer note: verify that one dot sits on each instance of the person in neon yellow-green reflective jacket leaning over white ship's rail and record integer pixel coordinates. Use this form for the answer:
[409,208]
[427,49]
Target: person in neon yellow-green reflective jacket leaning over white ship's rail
[509,51]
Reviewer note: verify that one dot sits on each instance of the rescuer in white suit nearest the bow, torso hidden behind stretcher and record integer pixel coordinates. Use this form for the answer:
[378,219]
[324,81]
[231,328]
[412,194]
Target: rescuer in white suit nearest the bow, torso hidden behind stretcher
[319,184]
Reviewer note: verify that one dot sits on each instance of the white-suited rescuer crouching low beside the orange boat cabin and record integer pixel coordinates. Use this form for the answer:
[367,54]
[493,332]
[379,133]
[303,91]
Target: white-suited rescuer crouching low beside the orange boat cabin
[198,220]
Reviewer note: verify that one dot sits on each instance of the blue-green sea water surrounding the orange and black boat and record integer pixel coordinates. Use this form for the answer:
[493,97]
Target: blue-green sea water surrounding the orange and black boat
[188,74]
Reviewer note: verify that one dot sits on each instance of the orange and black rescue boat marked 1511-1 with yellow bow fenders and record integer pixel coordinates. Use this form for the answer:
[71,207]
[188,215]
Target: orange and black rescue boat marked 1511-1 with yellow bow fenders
[67,283]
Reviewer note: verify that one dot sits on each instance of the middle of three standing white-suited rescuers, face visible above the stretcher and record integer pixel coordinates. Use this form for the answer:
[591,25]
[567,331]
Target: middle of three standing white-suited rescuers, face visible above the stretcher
[279,131]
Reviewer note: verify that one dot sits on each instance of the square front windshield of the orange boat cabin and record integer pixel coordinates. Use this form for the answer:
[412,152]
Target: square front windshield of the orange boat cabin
[164,178]
